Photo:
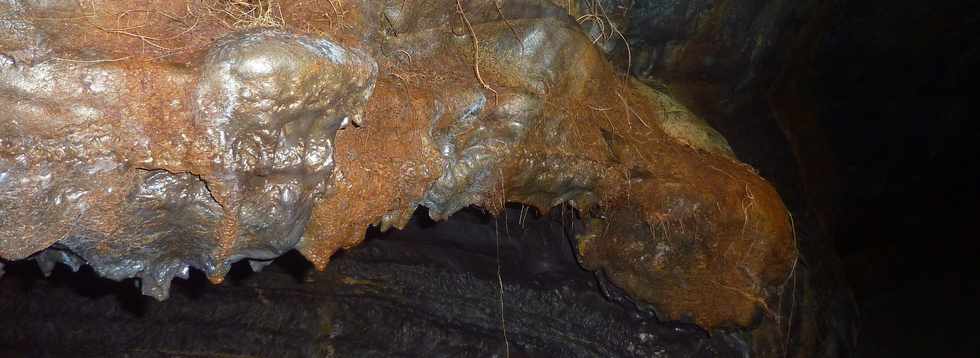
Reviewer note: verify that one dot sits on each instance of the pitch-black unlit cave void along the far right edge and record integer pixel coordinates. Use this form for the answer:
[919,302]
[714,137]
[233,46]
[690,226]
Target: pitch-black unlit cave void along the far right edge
[896,80]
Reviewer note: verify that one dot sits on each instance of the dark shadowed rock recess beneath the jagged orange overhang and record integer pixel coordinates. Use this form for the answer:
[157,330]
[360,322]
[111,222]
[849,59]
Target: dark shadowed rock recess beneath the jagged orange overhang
[430,290]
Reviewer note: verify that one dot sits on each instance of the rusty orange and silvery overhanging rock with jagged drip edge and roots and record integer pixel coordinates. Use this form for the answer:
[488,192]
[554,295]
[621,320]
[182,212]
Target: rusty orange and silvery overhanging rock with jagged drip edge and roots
[144,151]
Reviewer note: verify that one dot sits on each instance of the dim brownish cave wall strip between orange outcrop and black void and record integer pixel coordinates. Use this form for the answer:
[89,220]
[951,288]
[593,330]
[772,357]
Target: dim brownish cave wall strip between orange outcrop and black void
[747,68]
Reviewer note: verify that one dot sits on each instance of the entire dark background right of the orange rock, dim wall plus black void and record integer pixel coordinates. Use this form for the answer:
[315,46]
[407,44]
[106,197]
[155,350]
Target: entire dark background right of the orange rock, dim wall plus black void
[859,113]
